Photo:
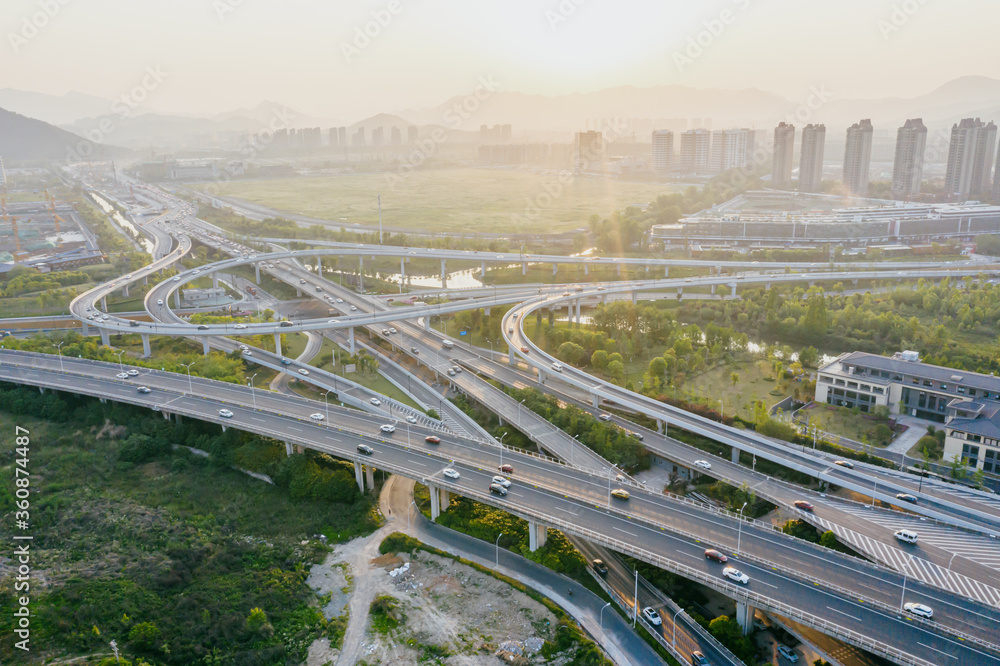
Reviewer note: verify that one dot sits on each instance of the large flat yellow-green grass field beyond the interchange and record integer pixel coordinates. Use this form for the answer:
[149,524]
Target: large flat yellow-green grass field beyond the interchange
[443,200]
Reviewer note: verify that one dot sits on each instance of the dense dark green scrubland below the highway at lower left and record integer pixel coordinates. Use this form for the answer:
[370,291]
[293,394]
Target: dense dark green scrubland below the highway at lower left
[176,557]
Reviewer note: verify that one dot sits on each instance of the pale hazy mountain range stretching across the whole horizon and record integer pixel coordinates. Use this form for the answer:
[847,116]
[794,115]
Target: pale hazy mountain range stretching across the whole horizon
[535,116]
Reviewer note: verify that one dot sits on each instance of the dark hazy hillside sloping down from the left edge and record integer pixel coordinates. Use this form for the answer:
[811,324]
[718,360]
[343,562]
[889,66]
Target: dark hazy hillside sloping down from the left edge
[24,139]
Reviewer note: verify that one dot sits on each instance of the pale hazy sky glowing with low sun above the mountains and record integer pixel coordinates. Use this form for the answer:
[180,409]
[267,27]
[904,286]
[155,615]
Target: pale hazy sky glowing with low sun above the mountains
[293,51]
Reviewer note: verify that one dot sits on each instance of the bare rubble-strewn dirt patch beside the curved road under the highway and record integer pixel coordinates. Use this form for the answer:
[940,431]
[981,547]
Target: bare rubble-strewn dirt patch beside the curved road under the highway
[456,615]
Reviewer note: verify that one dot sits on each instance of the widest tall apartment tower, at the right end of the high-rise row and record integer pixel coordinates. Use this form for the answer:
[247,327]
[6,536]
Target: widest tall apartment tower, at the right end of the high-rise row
[970,158]
